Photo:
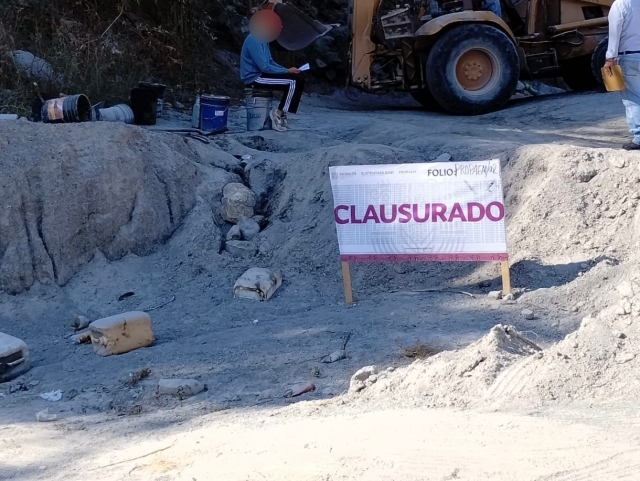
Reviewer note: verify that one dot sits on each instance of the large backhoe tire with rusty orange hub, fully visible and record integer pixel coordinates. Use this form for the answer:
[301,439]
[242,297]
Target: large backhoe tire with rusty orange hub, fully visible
[473,69]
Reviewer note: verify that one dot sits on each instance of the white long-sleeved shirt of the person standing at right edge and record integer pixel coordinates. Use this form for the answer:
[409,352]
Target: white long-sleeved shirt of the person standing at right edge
[624,27]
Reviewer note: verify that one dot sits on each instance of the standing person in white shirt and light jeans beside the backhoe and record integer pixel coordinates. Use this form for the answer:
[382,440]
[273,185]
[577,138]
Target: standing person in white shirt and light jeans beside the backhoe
[624,46]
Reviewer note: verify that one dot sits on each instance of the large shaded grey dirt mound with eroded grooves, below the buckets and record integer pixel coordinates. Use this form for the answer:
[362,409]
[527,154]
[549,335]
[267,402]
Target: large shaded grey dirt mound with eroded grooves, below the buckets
[69,191]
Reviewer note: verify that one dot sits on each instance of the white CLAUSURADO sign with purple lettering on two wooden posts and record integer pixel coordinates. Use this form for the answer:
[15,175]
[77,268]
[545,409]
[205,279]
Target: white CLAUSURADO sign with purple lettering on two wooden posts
[450,211]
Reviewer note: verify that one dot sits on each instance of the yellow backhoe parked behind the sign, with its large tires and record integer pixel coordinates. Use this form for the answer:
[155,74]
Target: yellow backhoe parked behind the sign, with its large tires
[451,54]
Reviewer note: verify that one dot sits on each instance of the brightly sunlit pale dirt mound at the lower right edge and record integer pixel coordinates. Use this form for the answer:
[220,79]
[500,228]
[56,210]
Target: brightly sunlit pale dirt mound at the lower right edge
[597,362]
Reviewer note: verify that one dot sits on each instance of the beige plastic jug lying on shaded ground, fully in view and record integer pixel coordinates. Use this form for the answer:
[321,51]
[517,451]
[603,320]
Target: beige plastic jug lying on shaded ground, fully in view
[121,333]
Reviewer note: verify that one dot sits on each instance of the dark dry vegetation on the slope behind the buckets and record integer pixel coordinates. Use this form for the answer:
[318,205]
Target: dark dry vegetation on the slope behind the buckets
[103,48]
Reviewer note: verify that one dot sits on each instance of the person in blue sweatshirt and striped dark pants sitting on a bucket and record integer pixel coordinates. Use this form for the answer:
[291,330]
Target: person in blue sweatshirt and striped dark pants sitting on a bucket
[258,70]
